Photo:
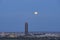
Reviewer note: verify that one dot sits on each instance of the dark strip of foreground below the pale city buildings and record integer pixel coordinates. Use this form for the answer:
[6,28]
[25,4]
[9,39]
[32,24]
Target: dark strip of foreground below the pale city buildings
[31,38]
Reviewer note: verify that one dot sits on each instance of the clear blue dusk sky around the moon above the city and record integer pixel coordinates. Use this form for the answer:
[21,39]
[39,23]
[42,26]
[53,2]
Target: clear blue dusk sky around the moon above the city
[14,13]
